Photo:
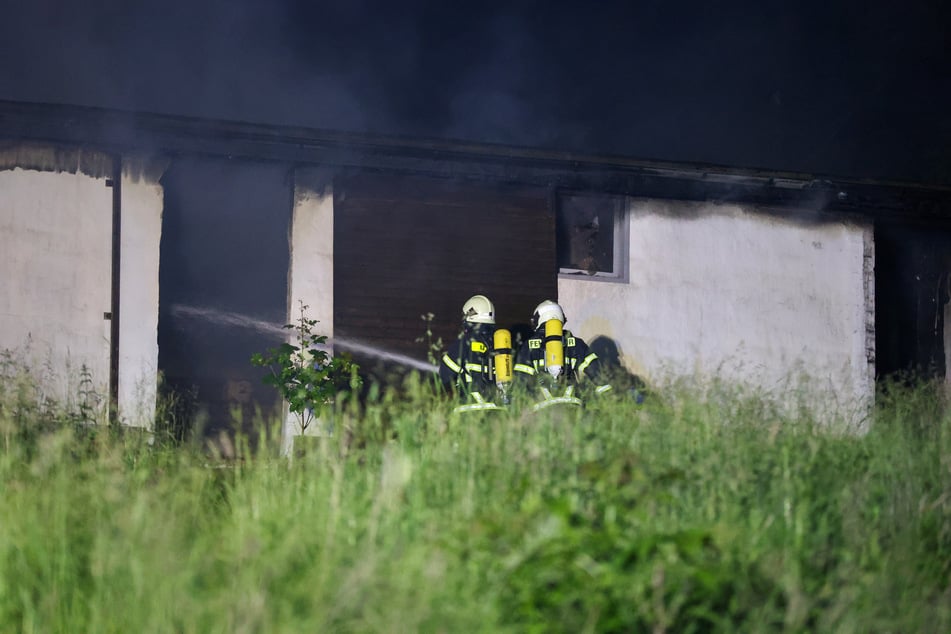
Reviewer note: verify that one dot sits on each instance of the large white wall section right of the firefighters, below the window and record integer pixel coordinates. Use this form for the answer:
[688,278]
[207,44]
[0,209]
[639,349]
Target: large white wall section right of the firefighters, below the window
[723,291]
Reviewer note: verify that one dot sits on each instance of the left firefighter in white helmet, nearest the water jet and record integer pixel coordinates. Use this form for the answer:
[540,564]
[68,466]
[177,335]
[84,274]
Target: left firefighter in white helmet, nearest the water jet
[469,366]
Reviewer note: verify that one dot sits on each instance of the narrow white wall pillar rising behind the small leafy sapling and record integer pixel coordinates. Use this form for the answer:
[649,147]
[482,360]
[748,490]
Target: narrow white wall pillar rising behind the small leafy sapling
[311,274]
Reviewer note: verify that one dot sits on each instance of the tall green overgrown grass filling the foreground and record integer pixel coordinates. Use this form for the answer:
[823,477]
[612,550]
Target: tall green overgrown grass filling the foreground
[678,515]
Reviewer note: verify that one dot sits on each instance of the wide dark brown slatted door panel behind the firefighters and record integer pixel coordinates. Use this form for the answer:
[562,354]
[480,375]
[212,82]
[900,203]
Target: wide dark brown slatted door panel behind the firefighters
[409,246]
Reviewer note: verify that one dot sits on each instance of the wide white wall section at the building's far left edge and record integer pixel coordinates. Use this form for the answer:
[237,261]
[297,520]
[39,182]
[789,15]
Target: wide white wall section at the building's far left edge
[55,258]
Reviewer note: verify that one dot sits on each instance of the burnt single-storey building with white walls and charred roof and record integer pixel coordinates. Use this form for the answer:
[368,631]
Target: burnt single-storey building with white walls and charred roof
[138,245]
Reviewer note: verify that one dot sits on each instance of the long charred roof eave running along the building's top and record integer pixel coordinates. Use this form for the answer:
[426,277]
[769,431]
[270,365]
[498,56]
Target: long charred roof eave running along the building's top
[123,131]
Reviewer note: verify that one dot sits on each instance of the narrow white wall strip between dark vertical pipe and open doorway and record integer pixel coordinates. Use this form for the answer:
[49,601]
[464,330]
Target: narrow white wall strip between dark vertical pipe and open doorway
[142,205]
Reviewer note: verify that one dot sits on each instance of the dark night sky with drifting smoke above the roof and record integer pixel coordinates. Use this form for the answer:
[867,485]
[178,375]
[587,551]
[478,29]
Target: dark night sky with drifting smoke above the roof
[850,88]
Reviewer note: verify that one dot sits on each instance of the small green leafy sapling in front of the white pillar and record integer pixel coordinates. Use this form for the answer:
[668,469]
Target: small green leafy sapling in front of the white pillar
[305,374]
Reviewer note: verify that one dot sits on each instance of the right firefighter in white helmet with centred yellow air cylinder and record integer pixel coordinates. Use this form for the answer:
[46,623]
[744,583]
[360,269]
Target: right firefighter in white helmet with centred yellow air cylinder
[557,363]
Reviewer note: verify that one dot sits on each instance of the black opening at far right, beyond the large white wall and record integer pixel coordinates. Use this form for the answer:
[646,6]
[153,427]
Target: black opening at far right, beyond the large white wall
[912,268]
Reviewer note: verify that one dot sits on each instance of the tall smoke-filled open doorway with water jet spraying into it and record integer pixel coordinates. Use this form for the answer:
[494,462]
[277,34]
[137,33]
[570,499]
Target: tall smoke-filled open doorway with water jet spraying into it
[222,287]
